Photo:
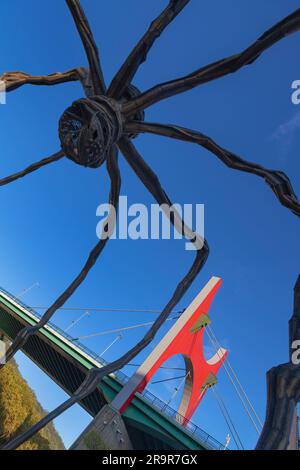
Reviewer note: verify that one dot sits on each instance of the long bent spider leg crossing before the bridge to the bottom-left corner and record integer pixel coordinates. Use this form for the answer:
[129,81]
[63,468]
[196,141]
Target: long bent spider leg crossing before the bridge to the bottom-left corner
[95,375]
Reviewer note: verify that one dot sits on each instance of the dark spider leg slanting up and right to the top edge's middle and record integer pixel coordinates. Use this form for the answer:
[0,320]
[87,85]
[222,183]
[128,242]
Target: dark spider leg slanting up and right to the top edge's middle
[124,76]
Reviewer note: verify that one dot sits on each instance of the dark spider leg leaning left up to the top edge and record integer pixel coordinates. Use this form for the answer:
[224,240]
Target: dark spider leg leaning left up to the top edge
[89,45]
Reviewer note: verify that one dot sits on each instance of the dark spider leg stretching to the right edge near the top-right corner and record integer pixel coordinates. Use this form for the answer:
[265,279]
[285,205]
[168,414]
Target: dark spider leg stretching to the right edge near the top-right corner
[218,69]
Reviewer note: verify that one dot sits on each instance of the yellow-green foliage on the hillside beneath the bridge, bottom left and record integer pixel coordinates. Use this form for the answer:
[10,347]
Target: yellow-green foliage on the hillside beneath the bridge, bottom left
[19,410]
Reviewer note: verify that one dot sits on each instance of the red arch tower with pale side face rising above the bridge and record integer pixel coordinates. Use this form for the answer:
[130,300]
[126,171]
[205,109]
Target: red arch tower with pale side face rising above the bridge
[186,338]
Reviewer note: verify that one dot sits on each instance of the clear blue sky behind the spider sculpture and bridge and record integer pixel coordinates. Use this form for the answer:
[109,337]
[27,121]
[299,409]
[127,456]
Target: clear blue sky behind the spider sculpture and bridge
[49,218]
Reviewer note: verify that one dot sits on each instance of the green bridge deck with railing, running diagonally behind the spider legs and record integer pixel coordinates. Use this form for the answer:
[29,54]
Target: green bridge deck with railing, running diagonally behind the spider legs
[151,423]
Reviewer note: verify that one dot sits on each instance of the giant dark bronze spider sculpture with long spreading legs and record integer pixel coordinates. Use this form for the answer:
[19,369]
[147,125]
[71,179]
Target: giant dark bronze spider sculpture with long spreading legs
[92,130]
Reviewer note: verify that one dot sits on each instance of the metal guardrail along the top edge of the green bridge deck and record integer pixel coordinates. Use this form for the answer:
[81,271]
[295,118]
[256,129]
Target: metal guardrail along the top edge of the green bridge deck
[191,428]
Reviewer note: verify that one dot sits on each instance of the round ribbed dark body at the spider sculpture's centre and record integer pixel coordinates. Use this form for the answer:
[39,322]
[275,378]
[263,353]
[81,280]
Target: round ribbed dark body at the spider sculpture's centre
[89,128]
